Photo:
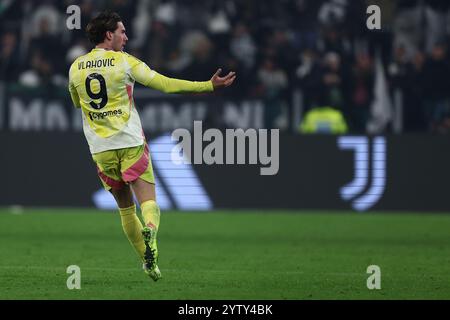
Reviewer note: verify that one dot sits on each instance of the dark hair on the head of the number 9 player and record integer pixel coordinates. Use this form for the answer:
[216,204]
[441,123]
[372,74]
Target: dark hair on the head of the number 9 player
[103,22]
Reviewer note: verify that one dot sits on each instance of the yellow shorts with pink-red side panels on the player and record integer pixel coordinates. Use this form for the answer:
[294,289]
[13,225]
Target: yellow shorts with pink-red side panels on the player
[122,166]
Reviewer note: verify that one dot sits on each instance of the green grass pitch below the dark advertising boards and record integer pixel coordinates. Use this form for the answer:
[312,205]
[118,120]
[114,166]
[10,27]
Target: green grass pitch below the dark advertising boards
[227,255]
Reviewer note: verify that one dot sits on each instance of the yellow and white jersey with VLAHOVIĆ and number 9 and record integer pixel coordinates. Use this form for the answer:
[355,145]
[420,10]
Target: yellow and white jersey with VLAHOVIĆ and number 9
[101,83]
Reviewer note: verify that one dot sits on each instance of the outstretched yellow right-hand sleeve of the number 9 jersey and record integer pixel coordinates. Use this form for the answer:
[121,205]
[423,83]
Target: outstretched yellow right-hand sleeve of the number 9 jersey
[142,73]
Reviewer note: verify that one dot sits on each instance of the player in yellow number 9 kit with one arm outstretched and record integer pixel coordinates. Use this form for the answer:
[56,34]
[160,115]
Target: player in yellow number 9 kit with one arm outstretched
[101,84]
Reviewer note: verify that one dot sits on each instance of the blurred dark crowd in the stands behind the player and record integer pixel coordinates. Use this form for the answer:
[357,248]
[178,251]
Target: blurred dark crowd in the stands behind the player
[321,47]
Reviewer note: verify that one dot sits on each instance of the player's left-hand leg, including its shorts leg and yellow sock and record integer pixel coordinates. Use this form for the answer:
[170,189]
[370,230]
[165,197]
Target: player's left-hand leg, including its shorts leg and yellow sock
[108,165]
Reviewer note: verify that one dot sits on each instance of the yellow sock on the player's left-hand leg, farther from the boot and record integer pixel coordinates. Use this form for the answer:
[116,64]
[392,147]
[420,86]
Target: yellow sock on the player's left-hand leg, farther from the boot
[132,227]
